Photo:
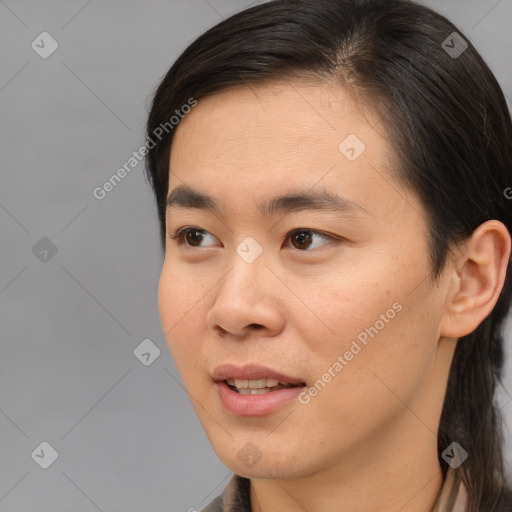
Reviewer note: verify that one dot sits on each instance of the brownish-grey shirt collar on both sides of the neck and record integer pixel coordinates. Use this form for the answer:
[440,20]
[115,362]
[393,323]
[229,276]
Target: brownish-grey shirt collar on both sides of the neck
[236,497]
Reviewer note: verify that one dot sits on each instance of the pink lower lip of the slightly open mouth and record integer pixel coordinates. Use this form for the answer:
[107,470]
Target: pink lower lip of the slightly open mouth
[255,405]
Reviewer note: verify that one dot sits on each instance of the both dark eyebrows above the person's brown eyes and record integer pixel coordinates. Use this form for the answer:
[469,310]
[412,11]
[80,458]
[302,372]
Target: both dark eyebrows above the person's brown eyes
[185,196]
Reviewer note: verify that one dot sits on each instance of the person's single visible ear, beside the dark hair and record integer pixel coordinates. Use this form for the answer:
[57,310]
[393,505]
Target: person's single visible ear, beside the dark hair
[477,278]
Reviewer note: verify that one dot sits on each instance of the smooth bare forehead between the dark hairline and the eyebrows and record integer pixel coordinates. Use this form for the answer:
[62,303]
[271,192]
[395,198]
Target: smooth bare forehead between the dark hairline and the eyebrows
[261,140]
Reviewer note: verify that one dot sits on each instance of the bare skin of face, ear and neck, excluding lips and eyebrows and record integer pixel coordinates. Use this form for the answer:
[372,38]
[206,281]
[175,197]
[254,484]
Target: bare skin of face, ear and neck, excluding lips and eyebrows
[367,440]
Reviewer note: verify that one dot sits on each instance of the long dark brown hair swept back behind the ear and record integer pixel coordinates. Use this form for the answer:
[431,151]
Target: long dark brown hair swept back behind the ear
[452,132]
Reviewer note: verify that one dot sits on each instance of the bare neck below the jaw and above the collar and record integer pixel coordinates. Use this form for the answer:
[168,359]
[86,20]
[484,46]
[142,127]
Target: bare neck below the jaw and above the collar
[401,477]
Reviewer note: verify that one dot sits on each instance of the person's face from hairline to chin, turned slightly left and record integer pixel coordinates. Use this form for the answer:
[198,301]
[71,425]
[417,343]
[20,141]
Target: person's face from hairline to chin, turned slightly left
[273,279]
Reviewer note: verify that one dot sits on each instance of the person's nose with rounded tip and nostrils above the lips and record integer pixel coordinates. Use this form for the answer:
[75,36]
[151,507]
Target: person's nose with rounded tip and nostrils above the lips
[247,300]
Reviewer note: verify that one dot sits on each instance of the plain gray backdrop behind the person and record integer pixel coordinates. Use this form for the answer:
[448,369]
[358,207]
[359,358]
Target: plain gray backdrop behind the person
[126,435]
